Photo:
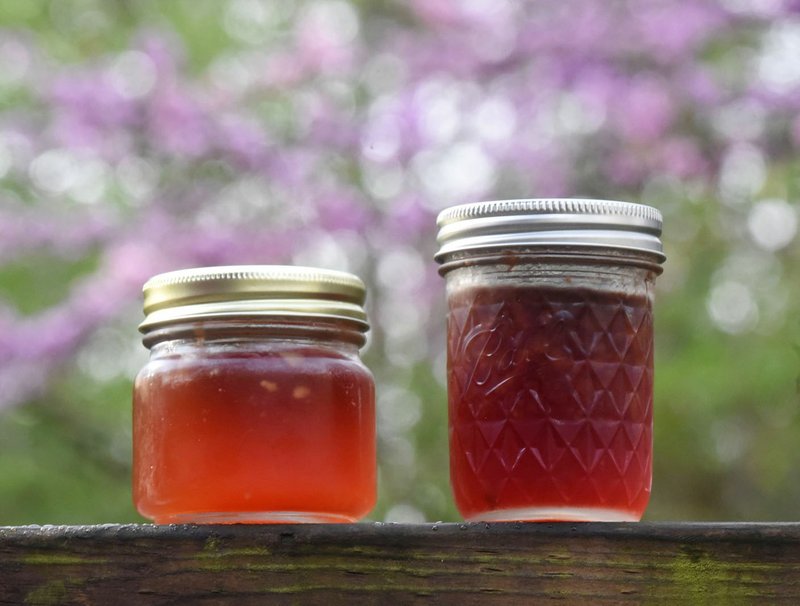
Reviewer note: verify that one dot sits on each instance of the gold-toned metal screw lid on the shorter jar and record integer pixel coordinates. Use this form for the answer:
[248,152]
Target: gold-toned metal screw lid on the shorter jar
[253,291]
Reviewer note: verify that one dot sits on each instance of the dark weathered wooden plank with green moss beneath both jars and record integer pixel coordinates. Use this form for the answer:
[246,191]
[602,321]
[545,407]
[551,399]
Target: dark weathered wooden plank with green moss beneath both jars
[398,564]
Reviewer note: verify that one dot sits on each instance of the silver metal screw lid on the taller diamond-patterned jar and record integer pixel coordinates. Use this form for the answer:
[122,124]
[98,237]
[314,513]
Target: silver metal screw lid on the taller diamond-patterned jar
[569,222]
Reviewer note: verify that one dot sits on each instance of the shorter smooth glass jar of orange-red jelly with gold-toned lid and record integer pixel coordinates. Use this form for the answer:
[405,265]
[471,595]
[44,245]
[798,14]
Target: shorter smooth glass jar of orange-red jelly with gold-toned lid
[255,406]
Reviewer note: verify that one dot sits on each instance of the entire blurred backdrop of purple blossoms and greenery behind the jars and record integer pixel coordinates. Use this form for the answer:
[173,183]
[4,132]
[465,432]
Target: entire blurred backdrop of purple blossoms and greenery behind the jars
[139,137]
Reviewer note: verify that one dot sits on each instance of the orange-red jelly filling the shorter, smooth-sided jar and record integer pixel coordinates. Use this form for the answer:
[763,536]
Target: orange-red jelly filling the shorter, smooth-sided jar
[279,434]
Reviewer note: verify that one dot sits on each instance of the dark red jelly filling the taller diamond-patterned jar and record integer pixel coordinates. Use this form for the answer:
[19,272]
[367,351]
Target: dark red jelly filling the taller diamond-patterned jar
[550,403]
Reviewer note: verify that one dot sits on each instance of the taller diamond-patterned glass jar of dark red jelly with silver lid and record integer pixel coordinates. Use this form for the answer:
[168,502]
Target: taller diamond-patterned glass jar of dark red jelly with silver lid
[550,357]
